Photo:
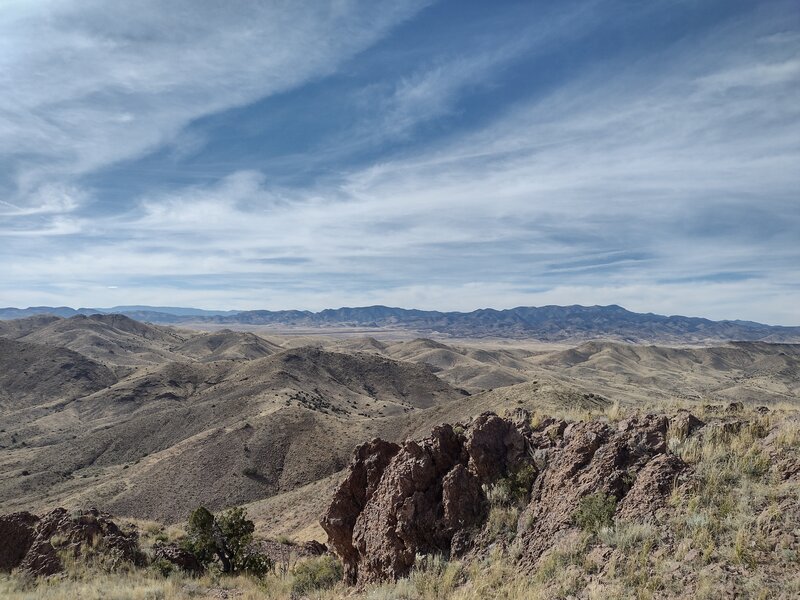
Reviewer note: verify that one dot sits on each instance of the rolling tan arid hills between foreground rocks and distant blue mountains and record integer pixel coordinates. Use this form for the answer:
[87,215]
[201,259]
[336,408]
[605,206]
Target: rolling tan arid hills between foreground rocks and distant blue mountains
[149,421]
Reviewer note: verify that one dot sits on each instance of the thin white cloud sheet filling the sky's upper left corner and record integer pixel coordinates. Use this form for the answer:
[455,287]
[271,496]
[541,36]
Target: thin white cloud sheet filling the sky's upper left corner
[87,83]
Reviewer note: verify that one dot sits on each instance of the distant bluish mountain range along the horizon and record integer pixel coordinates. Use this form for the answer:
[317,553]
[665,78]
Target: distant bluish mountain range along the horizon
[548,323]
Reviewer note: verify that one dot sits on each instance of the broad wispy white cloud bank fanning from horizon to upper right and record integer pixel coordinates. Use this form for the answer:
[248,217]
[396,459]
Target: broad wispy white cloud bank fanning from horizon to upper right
[662,178]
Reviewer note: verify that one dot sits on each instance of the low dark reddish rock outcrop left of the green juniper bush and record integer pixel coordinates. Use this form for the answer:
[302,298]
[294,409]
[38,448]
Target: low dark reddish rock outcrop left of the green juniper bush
[36,544]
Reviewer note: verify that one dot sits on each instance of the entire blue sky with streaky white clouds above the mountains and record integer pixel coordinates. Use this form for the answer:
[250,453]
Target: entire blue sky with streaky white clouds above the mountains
[444,155]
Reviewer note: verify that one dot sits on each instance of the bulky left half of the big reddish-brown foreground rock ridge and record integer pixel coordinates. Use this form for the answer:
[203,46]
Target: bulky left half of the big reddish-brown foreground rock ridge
[400,501]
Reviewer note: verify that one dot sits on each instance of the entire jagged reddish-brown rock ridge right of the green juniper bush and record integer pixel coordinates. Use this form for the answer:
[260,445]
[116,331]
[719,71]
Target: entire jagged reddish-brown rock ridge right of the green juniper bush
[432,496]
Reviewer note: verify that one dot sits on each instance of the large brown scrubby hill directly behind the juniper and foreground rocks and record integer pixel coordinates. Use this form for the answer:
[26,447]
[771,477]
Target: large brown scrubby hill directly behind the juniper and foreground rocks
[165,439]
